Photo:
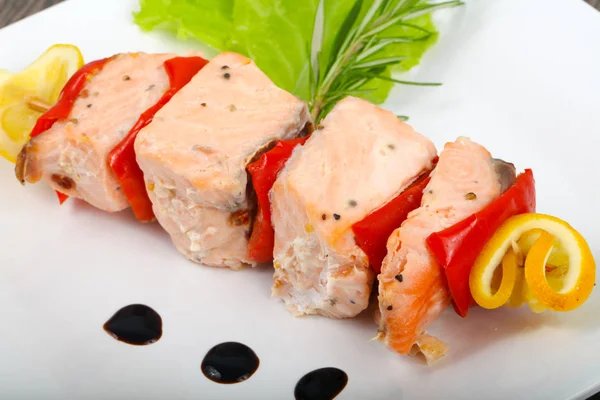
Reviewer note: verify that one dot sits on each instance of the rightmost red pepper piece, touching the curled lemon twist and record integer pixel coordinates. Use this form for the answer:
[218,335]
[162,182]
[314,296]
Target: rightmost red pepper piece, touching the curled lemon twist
[457,247]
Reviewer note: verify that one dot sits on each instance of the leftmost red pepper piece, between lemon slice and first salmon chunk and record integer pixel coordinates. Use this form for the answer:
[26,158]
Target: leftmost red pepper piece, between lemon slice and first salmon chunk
[69,94]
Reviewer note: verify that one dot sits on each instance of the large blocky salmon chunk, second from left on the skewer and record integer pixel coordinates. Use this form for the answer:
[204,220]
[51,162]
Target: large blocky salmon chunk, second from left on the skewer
[195,152]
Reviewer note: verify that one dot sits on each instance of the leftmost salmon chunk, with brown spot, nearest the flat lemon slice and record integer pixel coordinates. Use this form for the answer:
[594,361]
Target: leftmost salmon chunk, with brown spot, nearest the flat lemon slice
[72,155]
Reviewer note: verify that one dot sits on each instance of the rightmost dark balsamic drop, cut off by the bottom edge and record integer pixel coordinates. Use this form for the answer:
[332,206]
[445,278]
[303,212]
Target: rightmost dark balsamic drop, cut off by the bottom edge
[321,384]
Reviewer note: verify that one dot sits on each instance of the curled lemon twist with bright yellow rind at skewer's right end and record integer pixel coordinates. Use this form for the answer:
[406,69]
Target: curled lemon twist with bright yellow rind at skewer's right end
[560,287]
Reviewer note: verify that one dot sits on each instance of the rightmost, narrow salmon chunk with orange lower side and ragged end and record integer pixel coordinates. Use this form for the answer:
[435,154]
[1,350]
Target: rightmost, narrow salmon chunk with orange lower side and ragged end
[412,288]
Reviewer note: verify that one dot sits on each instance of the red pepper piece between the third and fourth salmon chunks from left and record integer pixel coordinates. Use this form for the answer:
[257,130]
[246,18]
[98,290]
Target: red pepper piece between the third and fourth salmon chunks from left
[373,231]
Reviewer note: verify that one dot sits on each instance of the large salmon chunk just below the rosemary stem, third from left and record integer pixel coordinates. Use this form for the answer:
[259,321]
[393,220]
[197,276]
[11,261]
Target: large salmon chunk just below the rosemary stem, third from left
[360,158]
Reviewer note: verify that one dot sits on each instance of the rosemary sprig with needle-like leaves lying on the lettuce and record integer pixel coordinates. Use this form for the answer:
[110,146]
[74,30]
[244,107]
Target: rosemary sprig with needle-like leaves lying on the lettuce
[359,49]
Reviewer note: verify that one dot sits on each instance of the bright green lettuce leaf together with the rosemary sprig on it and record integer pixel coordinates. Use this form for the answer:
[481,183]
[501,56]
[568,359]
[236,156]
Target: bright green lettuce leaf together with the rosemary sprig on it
[319,50]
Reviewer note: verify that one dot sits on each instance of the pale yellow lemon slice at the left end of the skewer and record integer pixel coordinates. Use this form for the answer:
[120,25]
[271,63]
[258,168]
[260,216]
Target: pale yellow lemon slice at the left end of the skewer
[25,95]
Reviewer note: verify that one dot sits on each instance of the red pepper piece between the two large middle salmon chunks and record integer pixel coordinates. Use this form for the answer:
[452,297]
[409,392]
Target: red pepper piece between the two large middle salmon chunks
[264,173]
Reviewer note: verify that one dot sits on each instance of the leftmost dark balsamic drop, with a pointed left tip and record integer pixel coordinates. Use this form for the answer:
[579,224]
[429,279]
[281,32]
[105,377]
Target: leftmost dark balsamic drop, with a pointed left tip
[135,324]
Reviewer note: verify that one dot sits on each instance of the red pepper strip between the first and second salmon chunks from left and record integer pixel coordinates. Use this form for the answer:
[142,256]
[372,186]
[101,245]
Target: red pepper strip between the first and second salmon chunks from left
[121,159]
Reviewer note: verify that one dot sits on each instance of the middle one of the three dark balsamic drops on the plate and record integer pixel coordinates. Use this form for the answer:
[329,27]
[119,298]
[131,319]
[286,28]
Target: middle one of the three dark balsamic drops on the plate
[229,362]
